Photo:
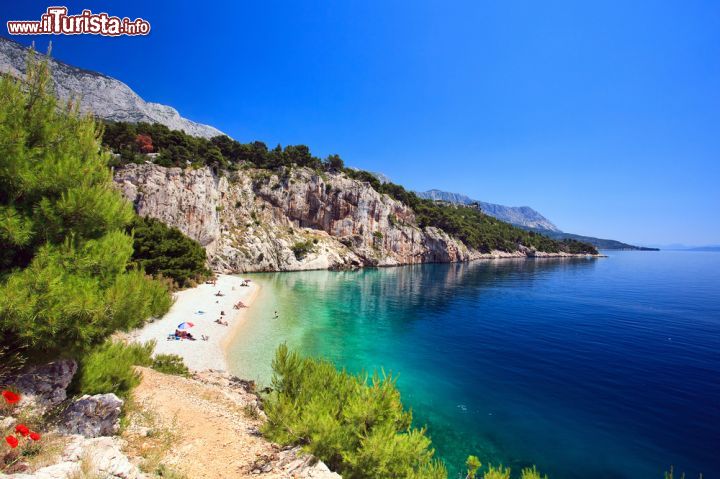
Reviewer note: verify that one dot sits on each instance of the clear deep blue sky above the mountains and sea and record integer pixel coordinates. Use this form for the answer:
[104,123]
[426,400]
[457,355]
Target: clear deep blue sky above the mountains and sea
[603,116]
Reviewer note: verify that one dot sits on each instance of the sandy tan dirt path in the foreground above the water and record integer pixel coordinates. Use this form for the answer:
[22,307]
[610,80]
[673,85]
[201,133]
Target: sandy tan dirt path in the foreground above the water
[205,428]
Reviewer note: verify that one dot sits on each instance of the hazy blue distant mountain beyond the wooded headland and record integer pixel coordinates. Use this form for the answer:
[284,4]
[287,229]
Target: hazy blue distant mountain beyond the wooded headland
[529,219]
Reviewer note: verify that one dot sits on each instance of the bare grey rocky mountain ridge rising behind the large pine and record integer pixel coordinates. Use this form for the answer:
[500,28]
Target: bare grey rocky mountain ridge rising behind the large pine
[105,97]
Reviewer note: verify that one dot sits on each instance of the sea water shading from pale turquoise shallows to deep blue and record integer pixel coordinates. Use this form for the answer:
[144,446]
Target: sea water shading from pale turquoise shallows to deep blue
[605,368]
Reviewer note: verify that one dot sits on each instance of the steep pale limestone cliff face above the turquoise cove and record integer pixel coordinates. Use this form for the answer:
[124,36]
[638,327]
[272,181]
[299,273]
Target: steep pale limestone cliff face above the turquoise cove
[255,220]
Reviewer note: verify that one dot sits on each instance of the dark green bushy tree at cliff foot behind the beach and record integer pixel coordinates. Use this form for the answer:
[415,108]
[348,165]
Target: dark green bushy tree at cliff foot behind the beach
[164,251]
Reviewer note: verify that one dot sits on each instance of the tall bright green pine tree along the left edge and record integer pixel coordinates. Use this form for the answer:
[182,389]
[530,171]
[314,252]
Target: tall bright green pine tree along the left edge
[64,278]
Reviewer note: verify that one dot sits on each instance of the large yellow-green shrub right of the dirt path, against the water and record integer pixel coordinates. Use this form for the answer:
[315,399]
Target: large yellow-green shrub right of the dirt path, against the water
[354,424]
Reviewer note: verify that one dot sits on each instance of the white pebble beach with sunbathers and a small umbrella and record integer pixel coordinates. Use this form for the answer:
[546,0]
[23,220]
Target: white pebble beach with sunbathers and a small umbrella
[202,307]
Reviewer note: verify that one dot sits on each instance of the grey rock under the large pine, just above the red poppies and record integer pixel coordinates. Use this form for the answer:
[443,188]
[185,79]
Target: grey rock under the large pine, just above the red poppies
[44,386]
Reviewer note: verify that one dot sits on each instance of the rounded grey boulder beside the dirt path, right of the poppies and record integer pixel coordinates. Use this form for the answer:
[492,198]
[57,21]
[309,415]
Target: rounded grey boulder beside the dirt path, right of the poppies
[92,416]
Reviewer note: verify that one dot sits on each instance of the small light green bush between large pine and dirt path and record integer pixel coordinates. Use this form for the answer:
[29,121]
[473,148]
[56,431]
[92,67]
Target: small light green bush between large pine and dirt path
[110,367]
